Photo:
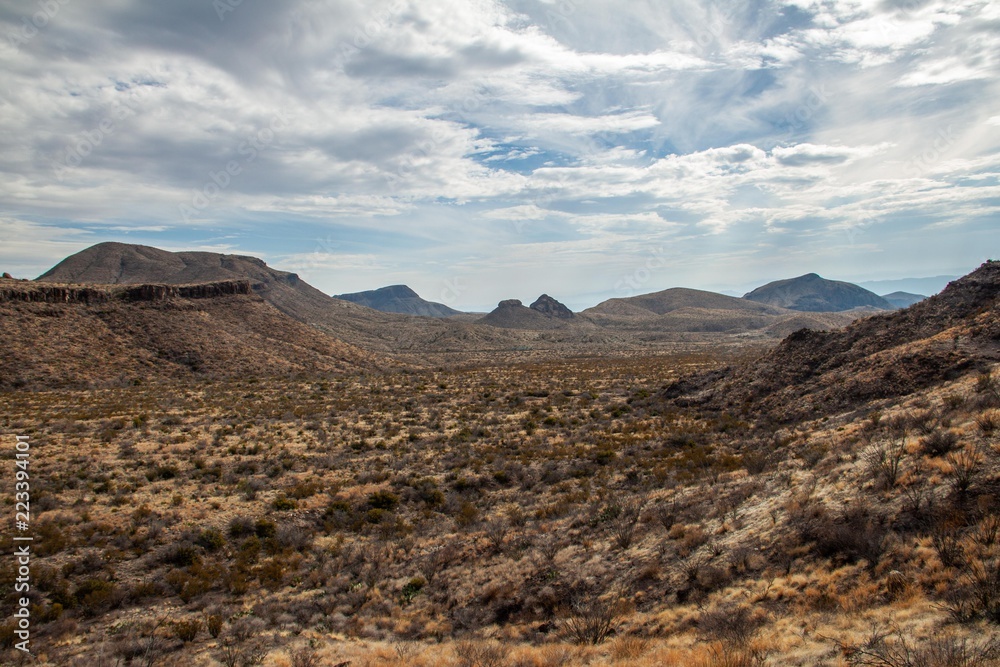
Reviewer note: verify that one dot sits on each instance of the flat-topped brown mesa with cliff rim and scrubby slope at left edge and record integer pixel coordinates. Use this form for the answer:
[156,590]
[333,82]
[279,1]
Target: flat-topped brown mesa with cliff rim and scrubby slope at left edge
[114,335]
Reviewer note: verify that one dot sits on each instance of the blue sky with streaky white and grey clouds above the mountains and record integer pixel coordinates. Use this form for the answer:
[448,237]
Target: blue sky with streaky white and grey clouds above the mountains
[482,150]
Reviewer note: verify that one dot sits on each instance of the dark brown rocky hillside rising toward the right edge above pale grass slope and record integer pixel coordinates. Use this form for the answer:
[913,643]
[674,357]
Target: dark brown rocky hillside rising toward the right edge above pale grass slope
[813,373]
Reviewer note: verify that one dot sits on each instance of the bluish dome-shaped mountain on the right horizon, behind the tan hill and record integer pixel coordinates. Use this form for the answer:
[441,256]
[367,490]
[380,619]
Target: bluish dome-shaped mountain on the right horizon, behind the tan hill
[811,293]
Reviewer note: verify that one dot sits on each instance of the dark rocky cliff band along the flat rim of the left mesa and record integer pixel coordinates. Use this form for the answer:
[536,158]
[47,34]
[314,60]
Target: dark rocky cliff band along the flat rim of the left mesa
[39,293]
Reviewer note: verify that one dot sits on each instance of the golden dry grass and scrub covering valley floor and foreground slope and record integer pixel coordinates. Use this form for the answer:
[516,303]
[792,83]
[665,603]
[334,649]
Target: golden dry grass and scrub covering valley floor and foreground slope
[483,517]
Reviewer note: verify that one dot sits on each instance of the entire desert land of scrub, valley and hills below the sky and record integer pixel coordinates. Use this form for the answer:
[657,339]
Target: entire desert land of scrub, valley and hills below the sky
[230,467]
